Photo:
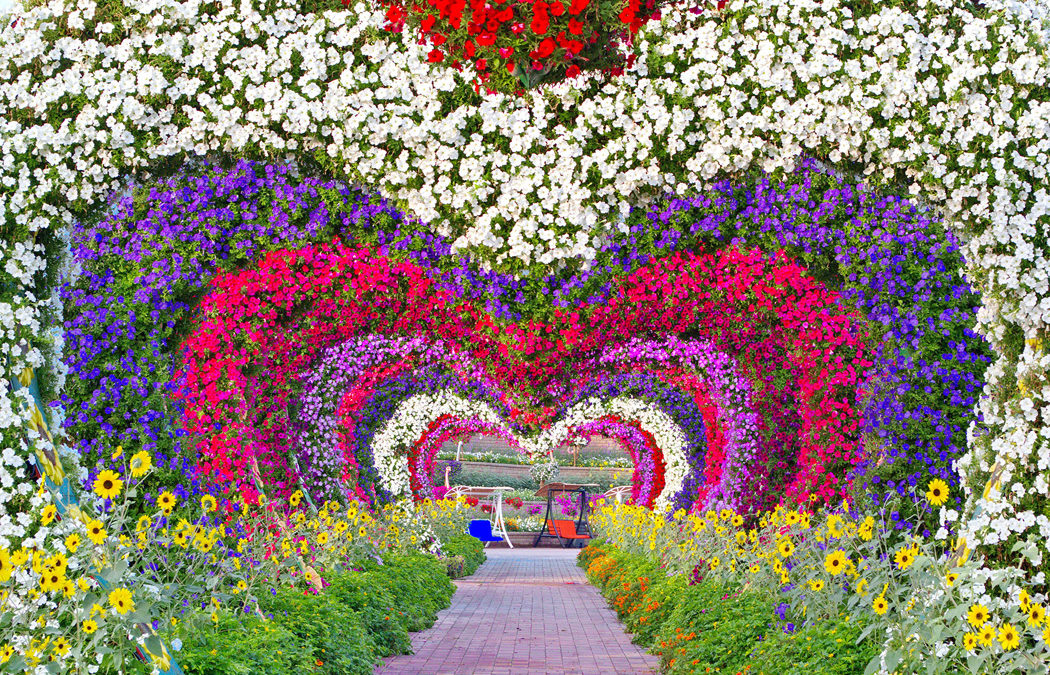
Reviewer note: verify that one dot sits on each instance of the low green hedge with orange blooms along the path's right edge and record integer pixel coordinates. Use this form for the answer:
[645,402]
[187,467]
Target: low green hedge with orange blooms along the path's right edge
[718,629]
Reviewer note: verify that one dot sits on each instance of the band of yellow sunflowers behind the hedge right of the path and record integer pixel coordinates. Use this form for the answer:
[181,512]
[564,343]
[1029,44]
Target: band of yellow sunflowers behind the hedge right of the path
[831,565]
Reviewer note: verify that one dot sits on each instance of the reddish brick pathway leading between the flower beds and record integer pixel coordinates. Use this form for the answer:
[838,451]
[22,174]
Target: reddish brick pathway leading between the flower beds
[526,610]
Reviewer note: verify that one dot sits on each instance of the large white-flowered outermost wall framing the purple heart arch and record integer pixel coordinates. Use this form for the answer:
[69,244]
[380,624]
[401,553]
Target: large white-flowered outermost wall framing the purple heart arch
[949,99]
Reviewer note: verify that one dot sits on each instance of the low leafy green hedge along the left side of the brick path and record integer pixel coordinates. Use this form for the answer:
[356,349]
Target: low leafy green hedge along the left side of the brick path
[361,617]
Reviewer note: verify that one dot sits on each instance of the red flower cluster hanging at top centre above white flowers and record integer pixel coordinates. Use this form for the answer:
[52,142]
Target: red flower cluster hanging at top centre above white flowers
[515,45]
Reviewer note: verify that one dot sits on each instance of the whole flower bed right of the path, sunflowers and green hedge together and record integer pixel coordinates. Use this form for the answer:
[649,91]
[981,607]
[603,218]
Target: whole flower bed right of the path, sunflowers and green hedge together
[838,593]
